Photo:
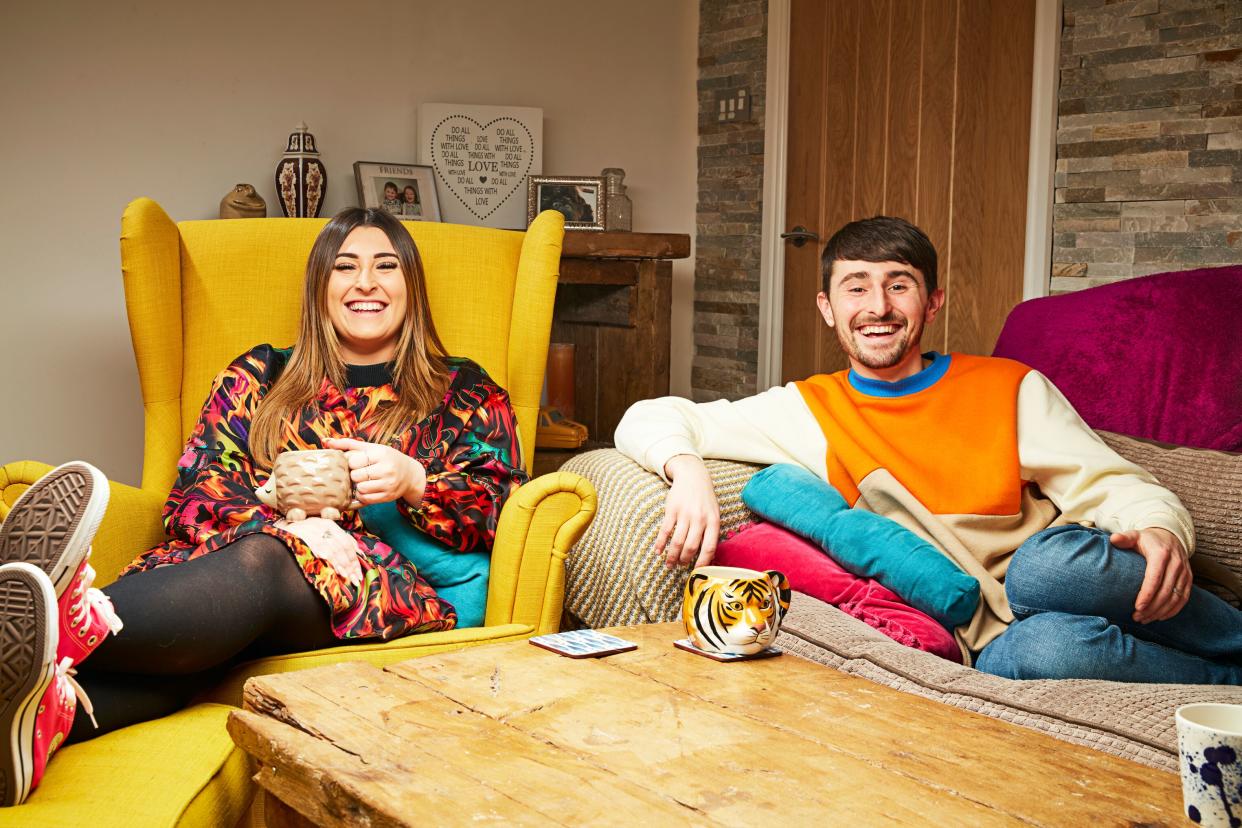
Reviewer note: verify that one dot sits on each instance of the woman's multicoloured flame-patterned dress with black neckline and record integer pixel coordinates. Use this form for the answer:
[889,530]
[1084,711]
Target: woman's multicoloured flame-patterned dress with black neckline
[468,445]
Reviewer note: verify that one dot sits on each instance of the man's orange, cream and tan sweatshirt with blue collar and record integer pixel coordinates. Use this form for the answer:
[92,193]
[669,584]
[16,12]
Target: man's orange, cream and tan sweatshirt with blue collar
[974,454]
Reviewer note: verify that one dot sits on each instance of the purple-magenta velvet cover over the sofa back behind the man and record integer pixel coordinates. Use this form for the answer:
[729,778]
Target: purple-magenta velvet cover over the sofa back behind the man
[1156,357]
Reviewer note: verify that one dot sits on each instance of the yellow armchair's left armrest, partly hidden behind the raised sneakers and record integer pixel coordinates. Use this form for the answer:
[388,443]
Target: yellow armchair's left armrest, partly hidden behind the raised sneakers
[132,524]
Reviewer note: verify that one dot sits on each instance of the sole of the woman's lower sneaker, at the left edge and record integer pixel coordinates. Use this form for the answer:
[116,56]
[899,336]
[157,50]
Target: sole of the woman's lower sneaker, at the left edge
[28,640]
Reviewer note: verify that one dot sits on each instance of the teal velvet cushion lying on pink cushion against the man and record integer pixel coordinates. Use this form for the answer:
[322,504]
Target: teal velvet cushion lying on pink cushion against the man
[865,543]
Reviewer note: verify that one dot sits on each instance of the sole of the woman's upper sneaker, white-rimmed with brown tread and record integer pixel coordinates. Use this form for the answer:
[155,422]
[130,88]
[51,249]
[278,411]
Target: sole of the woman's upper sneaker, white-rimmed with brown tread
[54,522]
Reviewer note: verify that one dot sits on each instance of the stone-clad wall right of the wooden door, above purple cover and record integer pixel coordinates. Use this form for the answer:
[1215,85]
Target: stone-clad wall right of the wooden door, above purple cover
[1149,140]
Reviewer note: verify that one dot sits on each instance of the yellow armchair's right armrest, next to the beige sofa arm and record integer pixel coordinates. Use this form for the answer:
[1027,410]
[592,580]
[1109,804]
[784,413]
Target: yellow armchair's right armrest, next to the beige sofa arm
[540,524]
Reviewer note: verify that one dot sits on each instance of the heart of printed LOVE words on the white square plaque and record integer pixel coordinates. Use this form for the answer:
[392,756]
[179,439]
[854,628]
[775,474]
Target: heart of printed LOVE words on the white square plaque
[481,164]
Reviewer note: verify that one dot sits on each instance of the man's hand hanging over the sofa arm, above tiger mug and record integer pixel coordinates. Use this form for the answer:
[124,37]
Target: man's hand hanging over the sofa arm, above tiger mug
[692,517]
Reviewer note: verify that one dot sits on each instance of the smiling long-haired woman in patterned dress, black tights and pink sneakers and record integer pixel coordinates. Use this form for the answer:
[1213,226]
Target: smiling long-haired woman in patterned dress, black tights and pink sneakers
[369,377]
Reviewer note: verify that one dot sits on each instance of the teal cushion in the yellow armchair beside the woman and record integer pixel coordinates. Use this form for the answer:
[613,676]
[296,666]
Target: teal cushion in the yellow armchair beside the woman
[458,578]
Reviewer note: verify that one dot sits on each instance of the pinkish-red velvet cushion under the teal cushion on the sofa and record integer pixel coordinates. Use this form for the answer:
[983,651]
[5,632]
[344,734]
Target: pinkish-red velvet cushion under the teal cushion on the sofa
[767,547]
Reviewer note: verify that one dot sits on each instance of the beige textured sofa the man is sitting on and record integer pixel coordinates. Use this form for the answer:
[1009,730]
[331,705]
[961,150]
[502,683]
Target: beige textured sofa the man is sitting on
[614,578]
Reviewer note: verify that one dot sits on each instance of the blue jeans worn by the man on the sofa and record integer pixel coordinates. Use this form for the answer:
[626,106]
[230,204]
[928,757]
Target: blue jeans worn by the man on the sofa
[1072,595]
